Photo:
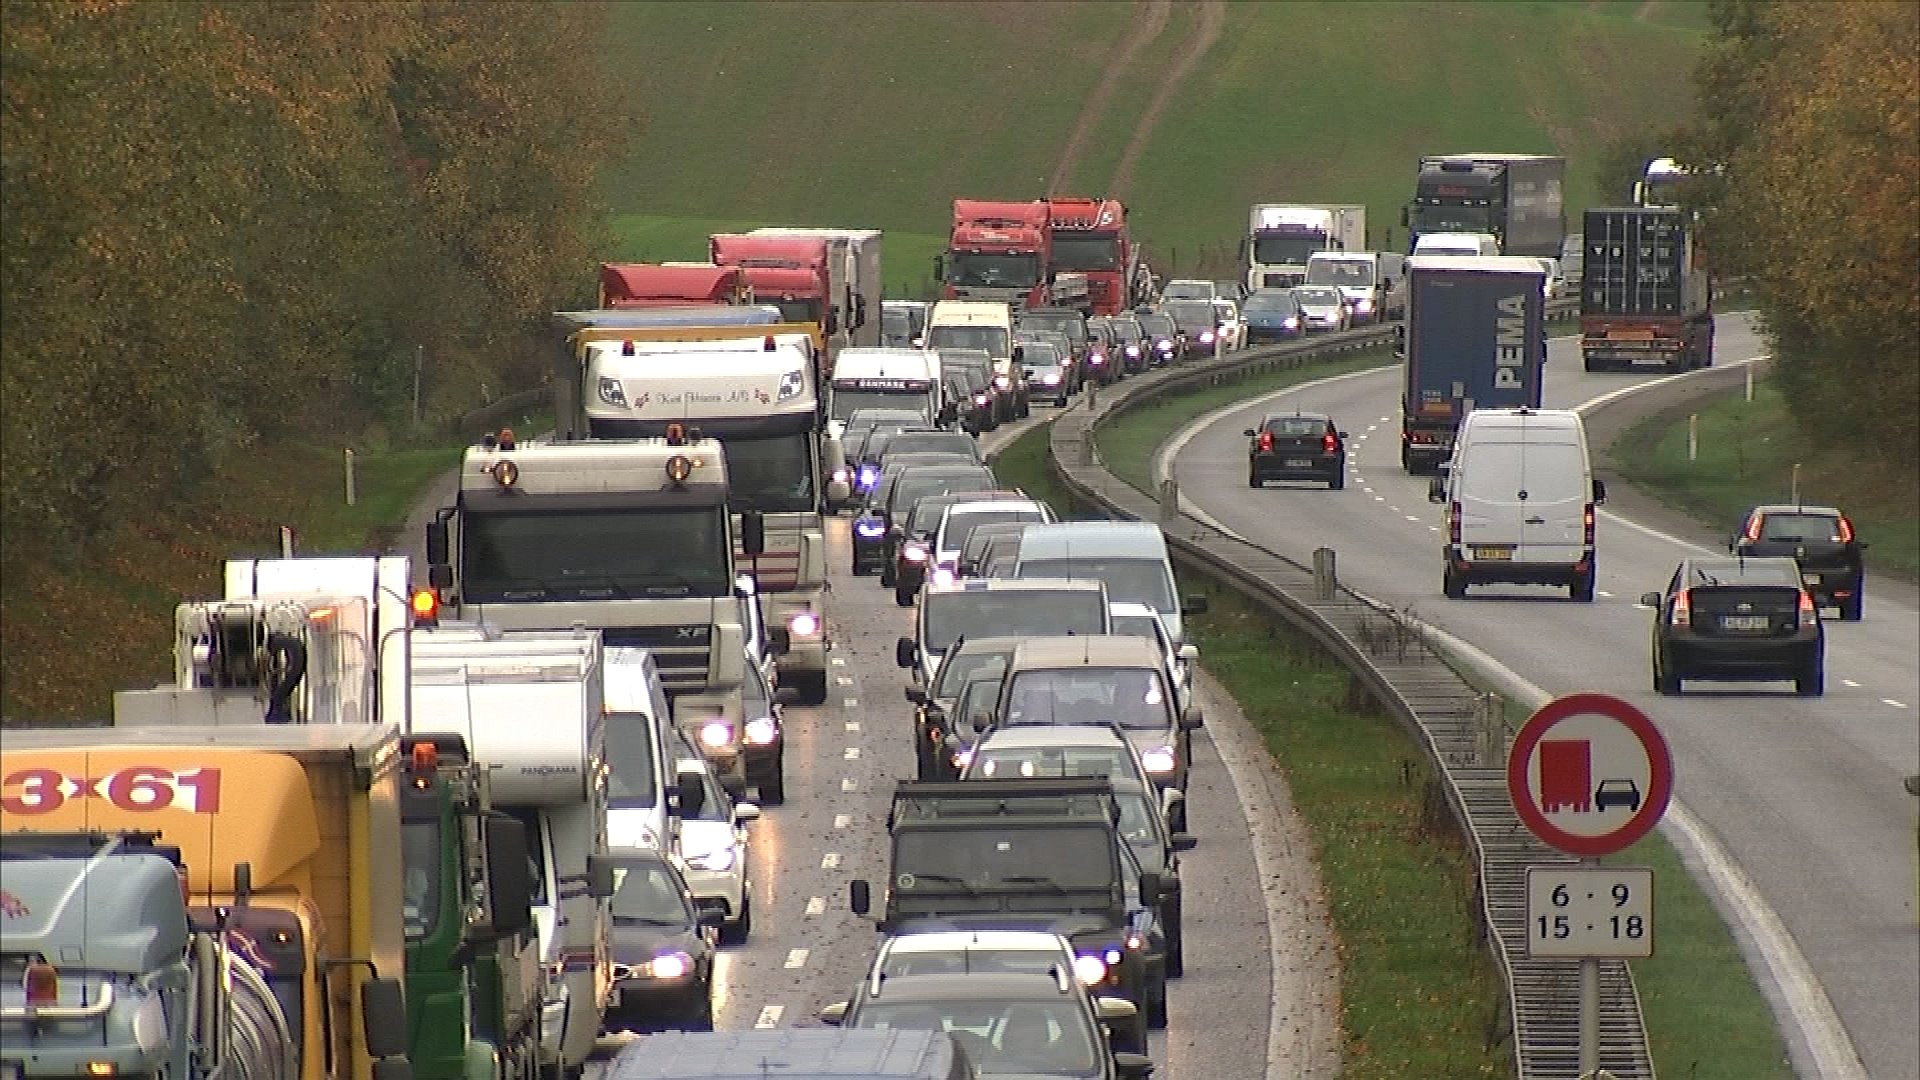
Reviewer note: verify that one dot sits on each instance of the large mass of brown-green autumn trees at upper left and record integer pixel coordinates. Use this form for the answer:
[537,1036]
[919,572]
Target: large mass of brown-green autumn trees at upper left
[231,222]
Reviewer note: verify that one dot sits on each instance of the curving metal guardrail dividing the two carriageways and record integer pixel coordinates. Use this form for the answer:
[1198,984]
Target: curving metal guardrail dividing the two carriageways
[1464,731]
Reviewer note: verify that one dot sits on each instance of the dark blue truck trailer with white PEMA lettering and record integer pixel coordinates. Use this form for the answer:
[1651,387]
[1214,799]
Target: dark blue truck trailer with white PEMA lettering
[1476,337]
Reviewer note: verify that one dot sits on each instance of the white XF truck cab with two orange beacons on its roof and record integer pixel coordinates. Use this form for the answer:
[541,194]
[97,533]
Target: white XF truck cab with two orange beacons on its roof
[631,537]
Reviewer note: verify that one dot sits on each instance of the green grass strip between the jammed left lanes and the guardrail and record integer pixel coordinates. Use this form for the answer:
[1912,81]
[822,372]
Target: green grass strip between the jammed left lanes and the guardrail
[1420,994]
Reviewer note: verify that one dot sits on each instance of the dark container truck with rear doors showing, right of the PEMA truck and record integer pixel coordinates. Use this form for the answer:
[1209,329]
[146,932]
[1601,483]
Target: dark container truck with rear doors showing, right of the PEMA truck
[1646,299]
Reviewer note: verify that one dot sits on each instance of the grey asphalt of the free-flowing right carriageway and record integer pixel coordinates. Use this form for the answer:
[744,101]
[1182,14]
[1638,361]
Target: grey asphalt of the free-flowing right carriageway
[1802,795]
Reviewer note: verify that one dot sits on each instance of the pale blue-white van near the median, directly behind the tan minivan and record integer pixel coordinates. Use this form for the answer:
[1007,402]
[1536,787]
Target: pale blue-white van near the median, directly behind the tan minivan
[1128,556]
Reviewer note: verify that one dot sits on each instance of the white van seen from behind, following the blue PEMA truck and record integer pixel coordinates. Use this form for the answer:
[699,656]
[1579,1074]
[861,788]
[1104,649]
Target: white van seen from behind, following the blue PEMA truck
[1520,503]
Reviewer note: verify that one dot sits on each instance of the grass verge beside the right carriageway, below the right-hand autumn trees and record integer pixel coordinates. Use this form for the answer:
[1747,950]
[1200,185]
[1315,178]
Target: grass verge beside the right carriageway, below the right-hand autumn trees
[1748,453]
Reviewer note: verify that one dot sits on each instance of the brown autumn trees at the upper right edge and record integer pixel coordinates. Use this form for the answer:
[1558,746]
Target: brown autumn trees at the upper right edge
[1813,116]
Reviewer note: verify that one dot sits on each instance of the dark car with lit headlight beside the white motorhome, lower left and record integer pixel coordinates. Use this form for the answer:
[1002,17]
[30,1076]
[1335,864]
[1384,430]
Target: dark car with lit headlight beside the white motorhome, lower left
[663,948]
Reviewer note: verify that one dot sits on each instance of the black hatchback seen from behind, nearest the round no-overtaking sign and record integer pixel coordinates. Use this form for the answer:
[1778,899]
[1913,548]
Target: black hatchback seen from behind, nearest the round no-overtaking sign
[1735,618]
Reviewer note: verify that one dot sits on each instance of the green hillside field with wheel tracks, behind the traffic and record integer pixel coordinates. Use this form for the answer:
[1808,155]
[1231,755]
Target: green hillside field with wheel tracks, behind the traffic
[878,116]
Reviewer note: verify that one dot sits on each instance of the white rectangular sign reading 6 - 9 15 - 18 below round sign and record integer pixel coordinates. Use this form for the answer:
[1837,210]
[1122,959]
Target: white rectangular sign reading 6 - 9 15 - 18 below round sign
[1589,912]
